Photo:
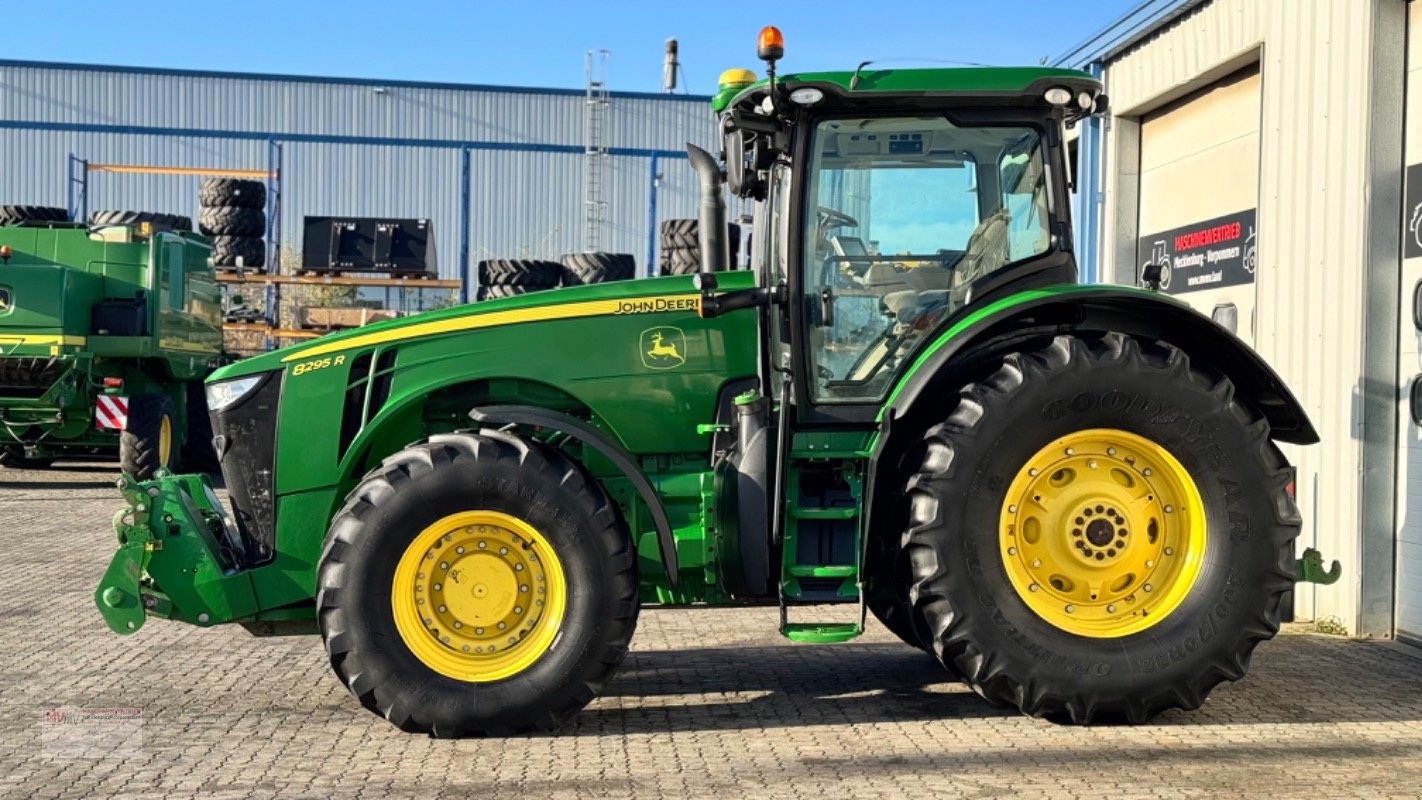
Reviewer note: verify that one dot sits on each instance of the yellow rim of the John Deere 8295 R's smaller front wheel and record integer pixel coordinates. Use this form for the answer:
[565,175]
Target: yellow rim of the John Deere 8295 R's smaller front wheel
[479,596]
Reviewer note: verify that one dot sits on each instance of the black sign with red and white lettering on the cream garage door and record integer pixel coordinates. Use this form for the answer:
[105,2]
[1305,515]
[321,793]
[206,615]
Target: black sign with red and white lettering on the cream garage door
[1208,255]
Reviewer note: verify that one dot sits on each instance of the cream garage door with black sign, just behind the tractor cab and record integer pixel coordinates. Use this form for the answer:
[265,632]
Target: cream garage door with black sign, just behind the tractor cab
[1199,193]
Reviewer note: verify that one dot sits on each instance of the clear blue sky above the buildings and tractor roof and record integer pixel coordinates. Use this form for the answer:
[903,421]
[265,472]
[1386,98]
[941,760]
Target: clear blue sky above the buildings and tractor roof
[541,43]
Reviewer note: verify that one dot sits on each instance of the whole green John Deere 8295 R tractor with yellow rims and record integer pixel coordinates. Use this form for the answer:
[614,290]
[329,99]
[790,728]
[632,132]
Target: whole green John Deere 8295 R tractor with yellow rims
[1069,495]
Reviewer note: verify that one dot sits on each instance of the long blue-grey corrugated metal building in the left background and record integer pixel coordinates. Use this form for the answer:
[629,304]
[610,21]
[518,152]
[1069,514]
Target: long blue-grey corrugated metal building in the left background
[500,171]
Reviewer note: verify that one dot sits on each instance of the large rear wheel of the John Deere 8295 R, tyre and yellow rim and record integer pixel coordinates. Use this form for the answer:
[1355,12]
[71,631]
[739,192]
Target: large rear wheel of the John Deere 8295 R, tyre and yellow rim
[1100,531]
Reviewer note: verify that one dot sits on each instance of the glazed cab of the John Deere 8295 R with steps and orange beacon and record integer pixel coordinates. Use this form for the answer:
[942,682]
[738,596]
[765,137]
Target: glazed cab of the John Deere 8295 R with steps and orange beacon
[888,204]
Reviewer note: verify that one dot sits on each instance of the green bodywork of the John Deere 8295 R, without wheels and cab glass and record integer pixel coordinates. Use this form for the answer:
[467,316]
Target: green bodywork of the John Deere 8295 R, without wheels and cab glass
[655,383]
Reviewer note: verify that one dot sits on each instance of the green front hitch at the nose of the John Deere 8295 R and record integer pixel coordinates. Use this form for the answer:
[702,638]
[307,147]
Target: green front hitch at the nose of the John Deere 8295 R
[178,558]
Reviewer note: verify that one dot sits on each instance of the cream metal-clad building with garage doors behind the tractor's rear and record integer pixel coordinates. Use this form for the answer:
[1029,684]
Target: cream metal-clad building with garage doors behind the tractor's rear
[1258,150]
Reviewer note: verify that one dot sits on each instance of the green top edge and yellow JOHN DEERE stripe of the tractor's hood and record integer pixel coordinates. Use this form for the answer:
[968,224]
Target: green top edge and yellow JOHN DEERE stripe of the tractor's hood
[598,301]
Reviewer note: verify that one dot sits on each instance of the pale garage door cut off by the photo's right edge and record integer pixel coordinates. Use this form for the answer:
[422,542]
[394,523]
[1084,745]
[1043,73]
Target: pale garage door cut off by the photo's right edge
[1410,370]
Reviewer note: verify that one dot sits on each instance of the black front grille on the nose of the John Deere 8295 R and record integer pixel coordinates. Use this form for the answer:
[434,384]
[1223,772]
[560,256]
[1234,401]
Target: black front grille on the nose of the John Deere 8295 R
[245,441]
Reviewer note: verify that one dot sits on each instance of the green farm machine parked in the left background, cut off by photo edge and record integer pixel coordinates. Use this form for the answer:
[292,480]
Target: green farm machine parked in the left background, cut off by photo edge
[107,332]
